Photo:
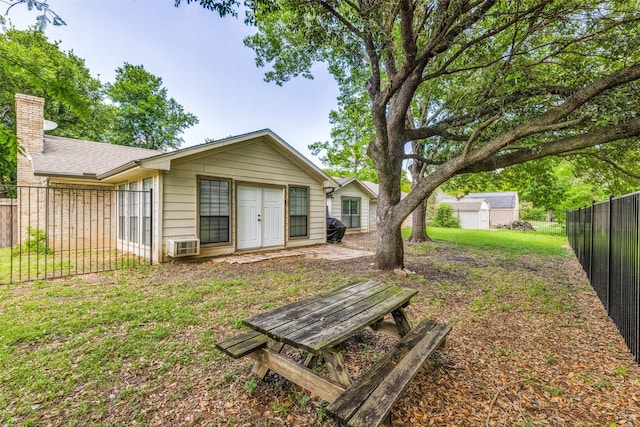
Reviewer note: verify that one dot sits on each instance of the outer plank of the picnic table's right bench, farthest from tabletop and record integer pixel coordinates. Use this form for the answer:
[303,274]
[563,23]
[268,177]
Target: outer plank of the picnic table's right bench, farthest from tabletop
[379,403]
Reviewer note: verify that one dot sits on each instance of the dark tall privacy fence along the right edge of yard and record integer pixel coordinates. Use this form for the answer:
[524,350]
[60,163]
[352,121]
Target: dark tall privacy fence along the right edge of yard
[606,239]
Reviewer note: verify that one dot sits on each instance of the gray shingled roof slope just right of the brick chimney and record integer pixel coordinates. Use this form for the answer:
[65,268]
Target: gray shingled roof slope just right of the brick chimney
[75,157]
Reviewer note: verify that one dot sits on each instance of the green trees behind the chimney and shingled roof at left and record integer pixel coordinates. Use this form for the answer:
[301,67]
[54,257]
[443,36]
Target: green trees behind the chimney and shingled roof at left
[139,111]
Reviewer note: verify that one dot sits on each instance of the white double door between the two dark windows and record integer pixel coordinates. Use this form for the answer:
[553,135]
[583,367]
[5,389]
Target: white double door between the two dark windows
[260,217]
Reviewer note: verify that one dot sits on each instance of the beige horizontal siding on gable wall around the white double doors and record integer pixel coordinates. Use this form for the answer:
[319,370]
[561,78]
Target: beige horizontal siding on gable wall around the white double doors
[251,163]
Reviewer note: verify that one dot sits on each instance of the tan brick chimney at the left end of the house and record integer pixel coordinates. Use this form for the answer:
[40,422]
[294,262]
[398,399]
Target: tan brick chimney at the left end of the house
[30,133]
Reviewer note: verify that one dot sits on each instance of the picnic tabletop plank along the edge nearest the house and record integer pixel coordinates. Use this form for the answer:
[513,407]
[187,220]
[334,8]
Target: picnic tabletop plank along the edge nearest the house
[296,309]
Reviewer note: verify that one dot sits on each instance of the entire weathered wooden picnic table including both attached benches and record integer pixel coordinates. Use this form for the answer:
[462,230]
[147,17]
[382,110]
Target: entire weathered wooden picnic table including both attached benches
[319,324]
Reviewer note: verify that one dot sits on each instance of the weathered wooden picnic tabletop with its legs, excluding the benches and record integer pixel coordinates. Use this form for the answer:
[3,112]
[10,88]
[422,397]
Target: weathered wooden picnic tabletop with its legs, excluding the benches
[319,324]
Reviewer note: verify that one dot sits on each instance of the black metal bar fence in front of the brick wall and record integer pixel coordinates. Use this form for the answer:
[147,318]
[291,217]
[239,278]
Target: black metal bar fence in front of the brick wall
[50,232]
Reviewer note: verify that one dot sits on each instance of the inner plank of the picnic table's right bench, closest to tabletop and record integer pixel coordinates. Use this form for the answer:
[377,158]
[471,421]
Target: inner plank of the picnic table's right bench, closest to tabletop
[350,401]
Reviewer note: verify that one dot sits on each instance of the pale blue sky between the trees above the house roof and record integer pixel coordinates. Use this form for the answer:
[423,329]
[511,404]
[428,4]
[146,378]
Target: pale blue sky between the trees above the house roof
[202,61]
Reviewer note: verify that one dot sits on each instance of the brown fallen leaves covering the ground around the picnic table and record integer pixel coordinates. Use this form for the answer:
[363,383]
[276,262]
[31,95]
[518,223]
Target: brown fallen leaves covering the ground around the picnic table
[531,345]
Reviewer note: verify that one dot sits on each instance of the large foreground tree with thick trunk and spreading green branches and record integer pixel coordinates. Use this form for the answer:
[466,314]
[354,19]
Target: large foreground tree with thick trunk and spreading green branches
[497,83]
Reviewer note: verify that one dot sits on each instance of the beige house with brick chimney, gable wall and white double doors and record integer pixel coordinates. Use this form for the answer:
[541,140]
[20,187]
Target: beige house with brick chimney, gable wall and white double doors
[249,192]
